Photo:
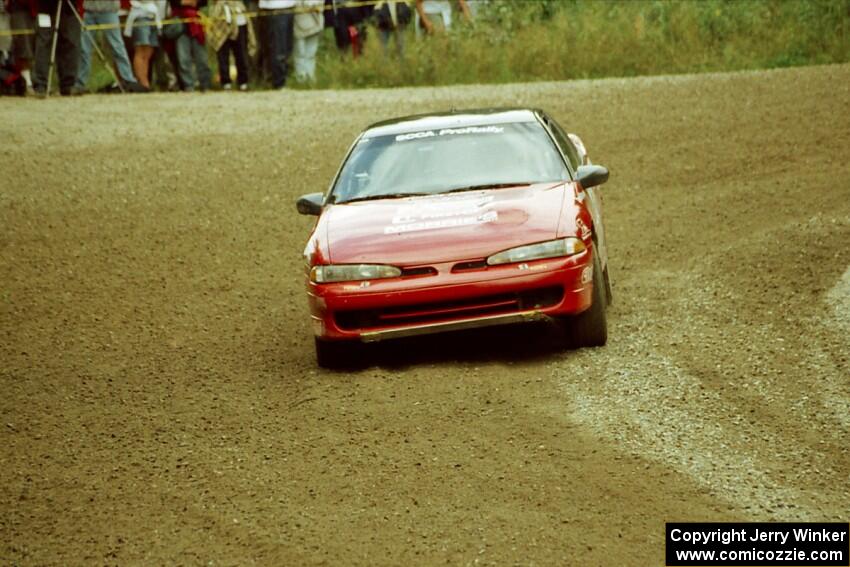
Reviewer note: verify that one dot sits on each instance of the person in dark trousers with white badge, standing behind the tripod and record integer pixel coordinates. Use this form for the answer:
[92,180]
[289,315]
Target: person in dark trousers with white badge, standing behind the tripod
[67,46]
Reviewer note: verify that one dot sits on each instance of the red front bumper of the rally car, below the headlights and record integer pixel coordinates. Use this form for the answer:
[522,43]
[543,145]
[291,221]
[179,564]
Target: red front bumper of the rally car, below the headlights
[448,301]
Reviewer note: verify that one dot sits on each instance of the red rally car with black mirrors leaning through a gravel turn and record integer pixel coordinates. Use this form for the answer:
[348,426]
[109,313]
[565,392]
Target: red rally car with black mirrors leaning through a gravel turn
[459,220]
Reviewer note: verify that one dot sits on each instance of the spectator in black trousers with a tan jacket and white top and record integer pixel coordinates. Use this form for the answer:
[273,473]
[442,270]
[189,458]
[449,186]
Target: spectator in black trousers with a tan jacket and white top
[230,32]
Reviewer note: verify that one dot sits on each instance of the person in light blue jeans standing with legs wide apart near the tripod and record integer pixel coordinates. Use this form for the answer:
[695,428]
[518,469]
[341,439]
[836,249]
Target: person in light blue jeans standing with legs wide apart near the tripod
[104,12]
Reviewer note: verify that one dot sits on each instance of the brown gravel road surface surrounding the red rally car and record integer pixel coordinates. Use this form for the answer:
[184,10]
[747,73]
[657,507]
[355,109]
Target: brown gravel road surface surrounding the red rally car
[161,403]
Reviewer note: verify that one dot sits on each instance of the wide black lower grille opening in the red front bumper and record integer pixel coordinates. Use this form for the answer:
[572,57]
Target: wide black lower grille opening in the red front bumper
[448,310]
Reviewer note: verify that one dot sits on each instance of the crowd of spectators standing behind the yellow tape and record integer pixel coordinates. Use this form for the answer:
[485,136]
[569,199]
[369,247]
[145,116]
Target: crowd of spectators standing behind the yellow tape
[167,44]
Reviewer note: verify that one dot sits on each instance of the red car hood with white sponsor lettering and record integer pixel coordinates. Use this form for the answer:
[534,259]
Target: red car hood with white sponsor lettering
[442,228]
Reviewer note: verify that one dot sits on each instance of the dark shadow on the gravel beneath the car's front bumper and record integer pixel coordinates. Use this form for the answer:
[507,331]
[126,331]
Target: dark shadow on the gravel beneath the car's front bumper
[517,343]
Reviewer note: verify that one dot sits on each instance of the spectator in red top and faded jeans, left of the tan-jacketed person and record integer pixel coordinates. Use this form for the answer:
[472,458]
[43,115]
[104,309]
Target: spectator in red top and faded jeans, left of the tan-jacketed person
[192,59]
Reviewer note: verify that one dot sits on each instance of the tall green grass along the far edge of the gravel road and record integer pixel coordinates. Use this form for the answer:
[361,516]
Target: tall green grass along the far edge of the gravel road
[532,40]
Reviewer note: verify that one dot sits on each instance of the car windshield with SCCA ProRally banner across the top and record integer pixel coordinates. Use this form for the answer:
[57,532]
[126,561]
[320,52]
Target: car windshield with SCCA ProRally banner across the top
[449,159]
